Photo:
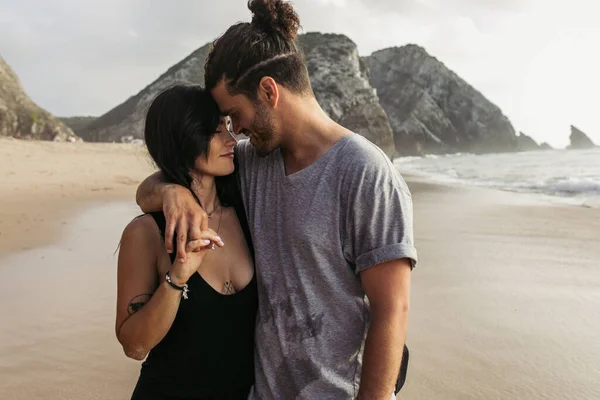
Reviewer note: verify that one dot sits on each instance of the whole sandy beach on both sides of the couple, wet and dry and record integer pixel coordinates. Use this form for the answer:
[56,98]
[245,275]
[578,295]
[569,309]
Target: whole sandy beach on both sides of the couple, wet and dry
[505,300]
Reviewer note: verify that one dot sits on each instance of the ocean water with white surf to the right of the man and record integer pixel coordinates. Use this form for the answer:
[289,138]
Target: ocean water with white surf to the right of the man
[567,176]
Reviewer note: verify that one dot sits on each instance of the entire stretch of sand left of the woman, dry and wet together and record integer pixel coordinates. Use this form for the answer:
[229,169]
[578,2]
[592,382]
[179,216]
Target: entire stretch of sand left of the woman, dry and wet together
[57,269]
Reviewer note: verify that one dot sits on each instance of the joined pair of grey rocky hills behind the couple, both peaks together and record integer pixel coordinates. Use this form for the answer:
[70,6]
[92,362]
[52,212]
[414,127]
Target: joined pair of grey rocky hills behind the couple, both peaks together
[419,105]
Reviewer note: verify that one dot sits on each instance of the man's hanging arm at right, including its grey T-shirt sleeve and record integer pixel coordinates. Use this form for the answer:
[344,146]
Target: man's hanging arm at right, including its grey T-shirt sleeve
[379,242]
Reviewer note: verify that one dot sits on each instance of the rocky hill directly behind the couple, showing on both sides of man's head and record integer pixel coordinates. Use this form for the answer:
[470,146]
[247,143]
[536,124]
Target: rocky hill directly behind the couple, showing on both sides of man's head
[338,76]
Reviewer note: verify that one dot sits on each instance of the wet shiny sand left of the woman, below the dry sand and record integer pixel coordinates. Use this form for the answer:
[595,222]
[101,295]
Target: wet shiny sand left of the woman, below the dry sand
[57,303]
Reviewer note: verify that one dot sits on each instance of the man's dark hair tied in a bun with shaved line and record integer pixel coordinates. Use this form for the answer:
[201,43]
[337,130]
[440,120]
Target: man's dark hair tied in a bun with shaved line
[264,47]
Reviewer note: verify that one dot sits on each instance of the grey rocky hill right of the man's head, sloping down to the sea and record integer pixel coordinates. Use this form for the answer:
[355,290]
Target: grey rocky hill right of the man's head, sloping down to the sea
[433,110]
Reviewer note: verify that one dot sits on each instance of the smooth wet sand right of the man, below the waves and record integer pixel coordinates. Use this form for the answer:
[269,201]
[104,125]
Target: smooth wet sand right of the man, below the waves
[506,299]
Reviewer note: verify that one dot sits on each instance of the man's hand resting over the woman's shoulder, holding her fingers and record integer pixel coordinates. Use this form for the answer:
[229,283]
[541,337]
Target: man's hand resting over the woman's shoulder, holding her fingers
[183,215]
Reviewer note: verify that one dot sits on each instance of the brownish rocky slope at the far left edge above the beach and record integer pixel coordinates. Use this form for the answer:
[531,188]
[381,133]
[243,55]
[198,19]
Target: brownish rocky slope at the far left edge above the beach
[20,117]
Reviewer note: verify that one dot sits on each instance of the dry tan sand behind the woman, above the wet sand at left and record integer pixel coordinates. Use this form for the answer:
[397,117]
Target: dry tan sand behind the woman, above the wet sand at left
[45,183]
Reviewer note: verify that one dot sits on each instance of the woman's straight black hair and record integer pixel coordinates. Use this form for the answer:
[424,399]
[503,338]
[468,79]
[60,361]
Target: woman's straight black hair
[180,123]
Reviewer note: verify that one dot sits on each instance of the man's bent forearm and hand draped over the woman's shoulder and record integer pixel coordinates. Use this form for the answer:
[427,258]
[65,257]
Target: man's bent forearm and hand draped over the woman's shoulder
[182,212]
